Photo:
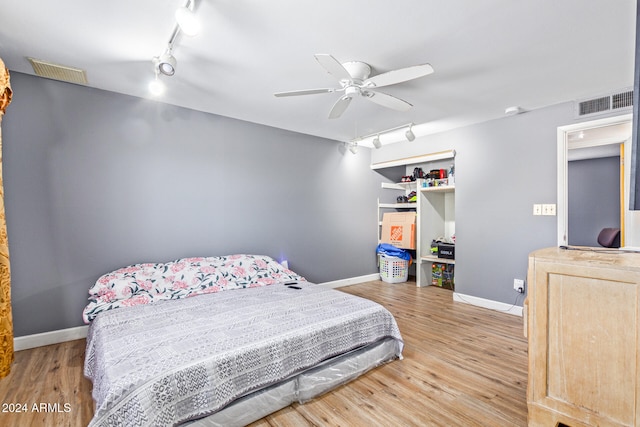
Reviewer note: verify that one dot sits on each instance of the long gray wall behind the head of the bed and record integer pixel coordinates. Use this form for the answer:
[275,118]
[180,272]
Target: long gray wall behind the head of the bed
[96,180]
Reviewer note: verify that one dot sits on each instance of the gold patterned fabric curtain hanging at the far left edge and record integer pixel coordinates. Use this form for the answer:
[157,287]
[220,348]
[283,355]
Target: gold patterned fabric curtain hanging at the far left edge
[6,321]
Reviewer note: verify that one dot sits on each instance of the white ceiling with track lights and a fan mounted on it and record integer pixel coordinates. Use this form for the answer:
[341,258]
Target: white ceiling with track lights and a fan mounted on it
[488,55]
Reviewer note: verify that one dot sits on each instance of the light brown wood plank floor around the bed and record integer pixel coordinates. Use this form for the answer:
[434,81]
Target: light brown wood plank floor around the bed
[462,366]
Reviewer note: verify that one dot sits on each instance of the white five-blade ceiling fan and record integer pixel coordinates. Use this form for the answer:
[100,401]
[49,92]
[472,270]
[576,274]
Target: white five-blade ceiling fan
[354,80]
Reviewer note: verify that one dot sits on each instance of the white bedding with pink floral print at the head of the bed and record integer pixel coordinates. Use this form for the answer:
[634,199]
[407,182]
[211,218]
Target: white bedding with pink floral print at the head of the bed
[146,283]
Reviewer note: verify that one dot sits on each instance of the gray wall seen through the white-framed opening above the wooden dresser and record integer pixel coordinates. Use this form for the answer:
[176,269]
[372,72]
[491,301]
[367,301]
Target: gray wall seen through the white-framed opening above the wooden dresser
[594,199]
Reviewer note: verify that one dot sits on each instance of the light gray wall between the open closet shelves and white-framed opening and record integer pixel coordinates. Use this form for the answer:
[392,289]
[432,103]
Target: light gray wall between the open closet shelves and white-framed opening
[503,167]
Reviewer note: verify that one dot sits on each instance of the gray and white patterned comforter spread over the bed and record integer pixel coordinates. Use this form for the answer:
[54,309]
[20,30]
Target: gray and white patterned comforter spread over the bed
[172,361]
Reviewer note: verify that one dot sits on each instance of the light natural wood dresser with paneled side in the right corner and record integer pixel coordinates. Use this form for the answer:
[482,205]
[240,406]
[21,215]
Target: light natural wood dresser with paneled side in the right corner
[583,328]
